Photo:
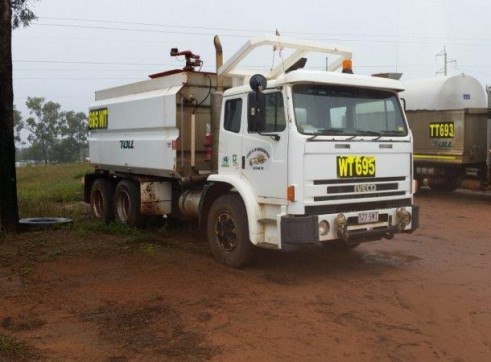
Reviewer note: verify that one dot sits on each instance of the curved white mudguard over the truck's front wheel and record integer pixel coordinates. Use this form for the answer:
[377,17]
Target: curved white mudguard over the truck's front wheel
[254,212]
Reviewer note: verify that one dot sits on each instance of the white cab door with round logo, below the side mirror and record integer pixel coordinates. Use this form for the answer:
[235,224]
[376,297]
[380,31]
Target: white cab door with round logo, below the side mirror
[264,153]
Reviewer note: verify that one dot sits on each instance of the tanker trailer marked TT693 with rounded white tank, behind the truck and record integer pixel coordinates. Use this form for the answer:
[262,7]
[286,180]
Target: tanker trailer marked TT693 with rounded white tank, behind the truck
[448,119]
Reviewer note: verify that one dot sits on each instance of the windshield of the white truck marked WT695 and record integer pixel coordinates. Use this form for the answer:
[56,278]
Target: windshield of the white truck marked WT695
[338,110]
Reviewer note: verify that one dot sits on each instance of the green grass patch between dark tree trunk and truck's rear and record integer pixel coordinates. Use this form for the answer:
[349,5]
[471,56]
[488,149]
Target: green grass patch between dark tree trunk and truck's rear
[50,190]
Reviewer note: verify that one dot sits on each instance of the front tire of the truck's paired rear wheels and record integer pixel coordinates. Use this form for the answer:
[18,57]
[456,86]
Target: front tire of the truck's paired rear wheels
[127,203]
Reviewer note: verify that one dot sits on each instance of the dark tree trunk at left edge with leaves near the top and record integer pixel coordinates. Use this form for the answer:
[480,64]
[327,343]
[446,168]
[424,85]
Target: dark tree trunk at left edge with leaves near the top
[12,14]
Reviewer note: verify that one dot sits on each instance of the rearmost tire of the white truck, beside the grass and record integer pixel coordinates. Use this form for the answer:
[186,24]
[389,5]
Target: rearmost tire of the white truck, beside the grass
[101,200]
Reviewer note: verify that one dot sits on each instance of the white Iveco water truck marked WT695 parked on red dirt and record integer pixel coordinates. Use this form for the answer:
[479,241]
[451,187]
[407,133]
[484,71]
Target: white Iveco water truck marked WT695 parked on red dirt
[289,158]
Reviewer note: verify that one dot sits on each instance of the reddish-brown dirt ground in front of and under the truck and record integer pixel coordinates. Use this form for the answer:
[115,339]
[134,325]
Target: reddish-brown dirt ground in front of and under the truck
[419,297]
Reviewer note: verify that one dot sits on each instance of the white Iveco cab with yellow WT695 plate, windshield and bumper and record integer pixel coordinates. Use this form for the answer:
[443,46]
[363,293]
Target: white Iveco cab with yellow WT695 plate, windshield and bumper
[330,161]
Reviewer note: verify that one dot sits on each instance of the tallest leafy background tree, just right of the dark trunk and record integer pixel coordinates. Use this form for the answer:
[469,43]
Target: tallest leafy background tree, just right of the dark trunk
[44,124]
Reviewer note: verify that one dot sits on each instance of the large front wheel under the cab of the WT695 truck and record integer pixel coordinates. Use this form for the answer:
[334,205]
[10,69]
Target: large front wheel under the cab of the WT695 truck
[228,232]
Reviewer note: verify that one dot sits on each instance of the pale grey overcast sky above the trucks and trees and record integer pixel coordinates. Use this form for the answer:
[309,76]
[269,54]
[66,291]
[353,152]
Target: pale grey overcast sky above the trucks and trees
[78,47]
